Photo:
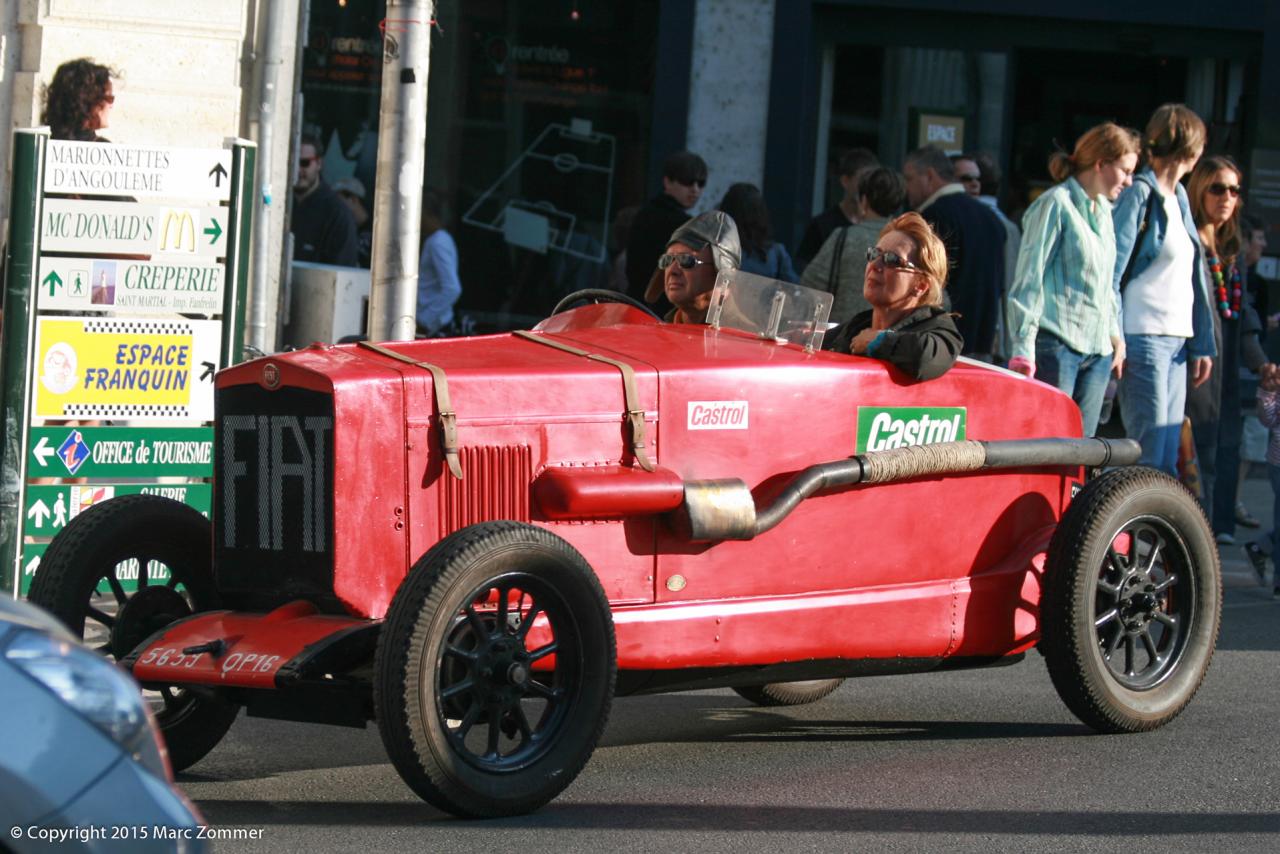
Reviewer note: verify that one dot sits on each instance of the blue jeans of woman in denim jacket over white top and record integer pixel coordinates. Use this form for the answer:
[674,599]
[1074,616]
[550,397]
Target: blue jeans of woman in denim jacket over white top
[1154,398]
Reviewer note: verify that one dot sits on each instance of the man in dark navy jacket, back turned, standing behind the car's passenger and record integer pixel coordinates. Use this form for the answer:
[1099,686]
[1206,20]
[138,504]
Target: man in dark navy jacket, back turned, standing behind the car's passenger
[976,246]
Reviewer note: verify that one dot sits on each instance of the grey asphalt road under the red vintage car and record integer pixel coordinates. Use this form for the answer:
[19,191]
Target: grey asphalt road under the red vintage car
[980,761]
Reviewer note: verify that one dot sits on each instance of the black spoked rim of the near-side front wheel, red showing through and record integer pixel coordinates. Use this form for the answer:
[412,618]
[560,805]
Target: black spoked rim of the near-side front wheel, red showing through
[509,673]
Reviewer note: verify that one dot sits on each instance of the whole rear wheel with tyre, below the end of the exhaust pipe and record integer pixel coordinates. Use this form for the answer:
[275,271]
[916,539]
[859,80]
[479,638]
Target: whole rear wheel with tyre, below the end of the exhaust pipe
[1132,601]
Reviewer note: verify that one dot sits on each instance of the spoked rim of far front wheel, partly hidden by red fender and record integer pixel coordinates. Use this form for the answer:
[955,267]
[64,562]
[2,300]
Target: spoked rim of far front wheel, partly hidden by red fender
[117,620]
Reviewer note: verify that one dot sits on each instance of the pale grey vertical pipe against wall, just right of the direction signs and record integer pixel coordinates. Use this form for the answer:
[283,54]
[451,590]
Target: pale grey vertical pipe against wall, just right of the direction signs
[272,63]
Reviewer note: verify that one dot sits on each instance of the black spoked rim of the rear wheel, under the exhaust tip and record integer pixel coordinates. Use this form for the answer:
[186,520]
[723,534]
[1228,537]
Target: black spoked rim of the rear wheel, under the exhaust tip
[1145,604]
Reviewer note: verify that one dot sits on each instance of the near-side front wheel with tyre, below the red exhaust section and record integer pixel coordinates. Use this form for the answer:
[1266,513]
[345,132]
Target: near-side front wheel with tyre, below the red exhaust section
[495,670]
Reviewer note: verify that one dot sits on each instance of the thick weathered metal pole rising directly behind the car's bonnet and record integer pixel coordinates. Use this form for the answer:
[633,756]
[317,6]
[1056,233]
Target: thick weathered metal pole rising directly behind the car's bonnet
[401,156]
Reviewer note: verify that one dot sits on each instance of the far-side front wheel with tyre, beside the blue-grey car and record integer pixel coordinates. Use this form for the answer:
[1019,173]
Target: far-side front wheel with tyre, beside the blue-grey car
[80,581]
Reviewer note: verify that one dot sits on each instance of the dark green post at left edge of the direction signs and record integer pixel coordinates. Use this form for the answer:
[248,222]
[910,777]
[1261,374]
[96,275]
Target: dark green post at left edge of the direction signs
[22,266]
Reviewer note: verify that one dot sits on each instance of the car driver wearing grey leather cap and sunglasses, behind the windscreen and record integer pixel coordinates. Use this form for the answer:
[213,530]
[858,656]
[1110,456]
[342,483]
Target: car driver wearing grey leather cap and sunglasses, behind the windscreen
[687,272]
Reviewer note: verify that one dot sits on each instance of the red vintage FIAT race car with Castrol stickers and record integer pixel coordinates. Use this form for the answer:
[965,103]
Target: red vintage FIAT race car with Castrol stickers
[479,544]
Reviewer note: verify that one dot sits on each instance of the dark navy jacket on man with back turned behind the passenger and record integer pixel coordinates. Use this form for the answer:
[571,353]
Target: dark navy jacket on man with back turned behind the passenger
[976,254]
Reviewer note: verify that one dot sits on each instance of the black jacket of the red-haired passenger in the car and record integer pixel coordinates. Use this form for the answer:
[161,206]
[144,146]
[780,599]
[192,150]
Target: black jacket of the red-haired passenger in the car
[924,345]
